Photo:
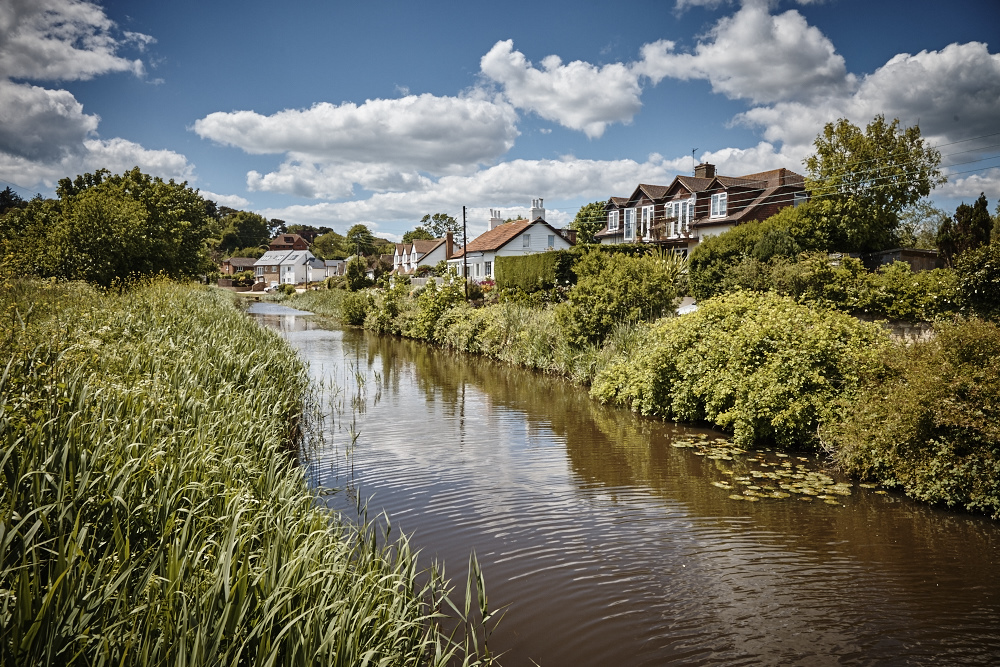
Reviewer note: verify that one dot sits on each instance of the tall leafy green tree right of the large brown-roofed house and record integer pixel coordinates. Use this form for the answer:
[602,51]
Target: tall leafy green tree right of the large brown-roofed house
[862,181]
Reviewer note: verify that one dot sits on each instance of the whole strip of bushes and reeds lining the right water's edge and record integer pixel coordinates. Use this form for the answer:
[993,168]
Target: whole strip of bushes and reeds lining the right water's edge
[773,372]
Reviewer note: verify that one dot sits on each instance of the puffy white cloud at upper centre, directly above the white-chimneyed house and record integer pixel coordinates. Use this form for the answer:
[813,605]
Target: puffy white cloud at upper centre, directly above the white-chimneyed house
[577,95]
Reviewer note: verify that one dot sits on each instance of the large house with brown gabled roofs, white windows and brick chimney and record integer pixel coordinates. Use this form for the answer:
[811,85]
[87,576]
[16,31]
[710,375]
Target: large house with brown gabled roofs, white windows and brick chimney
[695,207]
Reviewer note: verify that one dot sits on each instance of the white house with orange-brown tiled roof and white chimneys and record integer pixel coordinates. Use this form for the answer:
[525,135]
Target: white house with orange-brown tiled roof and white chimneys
[504,239]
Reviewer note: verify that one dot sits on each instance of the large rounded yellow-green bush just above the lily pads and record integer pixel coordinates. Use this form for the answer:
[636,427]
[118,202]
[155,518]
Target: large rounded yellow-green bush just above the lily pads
[760,365]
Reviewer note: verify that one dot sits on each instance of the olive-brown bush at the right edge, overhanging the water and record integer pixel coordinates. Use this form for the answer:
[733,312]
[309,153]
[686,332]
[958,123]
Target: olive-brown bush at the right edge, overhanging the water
[933,427]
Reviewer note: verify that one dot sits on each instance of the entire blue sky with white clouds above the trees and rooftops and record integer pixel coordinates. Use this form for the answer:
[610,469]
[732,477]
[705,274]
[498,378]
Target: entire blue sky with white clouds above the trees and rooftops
[336,113]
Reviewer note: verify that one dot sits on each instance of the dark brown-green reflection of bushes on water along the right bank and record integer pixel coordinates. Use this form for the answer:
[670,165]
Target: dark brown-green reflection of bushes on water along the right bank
[615,448]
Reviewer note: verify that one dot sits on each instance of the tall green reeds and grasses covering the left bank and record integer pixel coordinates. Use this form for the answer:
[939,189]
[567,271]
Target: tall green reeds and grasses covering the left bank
[151,510]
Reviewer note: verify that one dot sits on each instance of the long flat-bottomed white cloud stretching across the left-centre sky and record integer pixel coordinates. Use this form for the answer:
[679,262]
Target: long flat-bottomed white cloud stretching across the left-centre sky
[423,132]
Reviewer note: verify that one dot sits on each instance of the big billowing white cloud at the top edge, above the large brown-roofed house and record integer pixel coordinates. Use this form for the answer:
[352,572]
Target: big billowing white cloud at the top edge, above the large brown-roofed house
[757,56]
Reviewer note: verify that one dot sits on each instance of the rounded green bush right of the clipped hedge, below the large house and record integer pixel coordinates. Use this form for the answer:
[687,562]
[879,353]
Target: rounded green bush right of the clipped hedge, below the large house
[617,288]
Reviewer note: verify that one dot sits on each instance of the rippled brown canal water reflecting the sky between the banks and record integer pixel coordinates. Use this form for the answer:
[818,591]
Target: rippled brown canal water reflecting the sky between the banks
[611,545]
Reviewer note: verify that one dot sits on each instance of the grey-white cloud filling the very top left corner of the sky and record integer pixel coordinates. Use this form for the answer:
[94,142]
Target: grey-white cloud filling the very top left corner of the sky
[55,40]
